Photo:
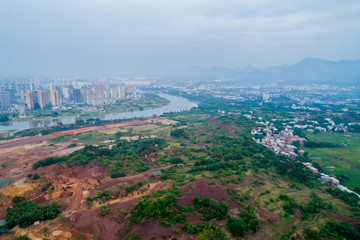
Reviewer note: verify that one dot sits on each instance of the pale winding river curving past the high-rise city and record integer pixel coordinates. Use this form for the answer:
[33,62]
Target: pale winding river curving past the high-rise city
[176,104]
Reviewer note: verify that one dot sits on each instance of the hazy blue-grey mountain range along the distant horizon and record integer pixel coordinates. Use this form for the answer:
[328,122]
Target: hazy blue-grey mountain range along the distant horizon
[308,71]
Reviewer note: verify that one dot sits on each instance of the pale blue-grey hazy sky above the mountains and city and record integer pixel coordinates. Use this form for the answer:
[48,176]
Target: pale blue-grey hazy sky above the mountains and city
[115,37]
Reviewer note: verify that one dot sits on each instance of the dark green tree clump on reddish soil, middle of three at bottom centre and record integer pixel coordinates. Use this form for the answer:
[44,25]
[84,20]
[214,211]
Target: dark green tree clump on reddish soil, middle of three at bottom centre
[211,208]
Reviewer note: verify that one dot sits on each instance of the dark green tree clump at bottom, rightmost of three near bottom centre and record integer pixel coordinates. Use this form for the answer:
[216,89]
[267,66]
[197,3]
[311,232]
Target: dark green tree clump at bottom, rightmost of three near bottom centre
[246,221]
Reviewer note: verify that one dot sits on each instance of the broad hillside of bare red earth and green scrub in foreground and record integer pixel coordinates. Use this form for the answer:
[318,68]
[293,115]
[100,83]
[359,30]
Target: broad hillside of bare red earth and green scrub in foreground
[202,178]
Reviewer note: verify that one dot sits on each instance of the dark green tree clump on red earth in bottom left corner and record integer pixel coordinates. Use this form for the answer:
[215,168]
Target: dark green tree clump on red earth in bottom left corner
[25,213]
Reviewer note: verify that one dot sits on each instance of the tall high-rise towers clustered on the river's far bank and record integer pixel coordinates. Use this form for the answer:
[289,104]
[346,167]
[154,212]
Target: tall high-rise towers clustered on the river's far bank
[94,95]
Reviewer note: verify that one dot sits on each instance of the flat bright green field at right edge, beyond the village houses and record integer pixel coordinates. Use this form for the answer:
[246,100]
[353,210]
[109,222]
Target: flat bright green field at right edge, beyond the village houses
[345,159]
